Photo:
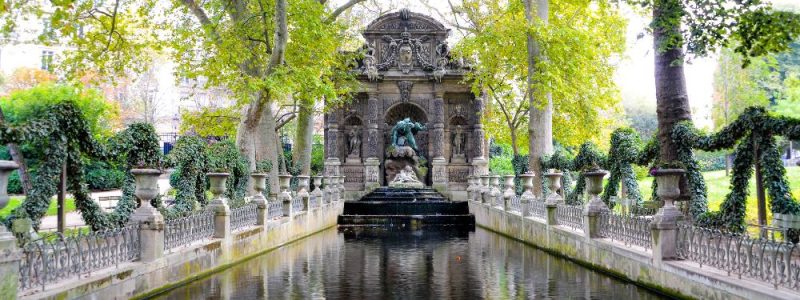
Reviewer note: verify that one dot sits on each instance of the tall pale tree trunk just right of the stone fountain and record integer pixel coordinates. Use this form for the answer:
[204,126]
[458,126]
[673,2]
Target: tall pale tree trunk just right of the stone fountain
[540,125]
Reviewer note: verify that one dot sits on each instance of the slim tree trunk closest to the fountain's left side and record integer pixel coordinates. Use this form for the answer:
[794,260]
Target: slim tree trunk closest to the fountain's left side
[303,136]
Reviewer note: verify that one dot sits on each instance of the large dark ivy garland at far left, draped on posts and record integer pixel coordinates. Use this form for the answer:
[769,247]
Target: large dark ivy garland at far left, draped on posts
[64,136]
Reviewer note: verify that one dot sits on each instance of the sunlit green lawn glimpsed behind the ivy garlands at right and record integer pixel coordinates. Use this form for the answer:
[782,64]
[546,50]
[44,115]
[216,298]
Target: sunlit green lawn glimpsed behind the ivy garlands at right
[718,186]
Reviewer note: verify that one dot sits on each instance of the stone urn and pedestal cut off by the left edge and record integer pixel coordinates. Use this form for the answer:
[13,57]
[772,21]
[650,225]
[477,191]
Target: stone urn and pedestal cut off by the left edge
[10,254]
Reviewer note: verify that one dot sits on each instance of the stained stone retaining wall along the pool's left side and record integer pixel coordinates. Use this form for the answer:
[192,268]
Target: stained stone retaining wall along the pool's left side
[182,265]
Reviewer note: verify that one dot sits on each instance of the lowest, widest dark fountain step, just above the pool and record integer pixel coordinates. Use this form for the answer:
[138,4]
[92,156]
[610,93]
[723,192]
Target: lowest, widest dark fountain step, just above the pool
[410,221]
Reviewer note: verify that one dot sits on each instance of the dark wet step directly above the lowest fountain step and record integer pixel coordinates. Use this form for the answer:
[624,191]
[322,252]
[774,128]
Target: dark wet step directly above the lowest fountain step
[405,208]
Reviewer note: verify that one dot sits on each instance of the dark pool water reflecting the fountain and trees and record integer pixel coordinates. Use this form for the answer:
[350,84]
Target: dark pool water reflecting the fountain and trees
[427,264]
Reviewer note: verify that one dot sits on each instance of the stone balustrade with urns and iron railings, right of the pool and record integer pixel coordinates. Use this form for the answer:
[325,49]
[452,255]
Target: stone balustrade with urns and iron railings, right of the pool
[662,238]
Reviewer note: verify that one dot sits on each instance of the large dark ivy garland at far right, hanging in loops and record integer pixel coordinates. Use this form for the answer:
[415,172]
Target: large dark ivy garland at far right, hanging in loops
[753,127]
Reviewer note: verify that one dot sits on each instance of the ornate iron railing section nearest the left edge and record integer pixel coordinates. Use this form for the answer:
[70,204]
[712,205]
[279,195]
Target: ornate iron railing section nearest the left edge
[53,259]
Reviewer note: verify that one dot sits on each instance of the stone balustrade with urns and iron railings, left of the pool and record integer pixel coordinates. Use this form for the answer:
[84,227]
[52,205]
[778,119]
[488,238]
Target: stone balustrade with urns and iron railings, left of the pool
[149,237]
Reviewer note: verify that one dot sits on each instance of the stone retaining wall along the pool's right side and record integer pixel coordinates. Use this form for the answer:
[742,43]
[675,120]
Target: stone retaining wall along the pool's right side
[681,279]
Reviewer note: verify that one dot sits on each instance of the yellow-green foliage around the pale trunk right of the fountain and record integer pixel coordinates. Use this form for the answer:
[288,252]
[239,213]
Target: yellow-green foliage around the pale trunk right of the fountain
[497,41]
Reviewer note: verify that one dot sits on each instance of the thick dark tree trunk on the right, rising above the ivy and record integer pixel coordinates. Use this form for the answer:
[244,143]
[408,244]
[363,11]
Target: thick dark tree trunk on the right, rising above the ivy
[671,98]
